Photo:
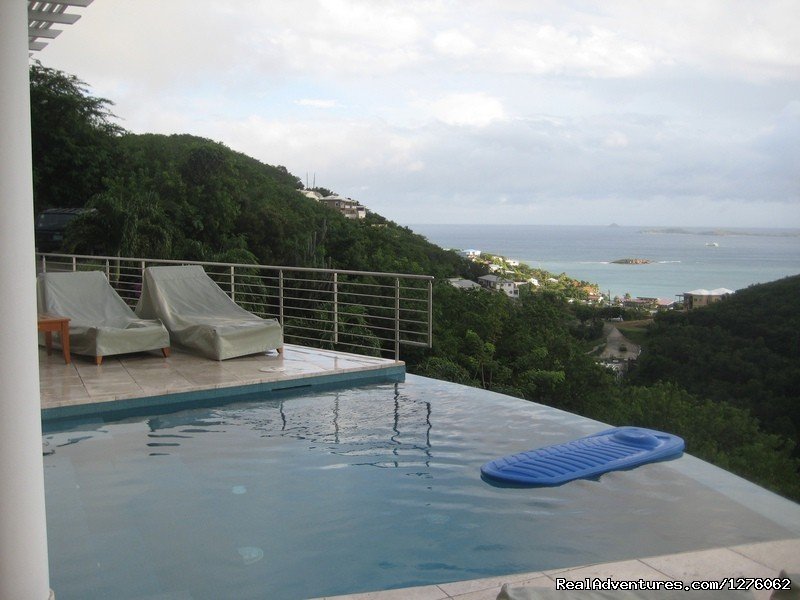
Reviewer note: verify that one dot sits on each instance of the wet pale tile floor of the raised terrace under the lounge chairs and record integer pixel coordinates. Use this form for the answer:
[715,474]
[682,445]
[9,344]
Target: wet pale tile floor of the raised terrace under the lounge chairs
[150,374]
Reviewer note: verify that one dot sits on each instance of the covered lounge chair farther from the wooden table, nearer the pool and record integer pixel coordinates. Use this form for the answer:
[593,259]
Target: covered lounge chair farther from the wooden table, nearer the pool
[201,317]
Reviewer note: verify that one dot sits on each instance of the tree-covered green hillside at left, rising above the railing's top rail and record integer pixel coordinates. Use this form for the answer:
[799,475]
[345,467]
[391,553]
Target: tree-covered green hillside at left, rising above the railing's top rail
[182,196]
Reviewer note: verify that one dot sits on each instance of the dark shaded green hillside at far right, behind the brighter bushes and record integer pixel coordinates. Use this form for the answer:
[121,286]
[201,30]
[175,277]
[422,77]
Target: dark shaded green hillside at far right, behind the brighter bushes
[744,351]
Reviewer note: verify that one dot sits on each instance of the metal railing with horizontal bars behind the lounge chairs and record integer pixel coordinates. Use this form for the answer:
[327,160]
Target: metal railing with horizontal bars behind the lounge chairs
[357,311]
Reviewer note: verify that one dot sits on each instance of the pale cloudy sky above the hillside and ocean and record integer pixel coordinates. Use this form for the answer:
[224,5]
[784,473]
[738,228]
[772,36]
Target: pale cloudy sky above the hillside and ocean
[468,111]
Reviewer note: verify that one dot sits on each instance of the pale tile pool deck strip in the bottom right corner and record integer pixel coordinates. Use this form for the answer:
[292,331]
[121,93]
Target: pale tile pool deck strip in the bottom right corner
[764,559]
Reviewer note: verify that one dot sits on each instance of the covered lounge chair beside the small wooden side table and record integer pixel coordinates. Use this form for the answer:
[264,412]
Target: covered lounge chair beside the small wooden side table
[101,324]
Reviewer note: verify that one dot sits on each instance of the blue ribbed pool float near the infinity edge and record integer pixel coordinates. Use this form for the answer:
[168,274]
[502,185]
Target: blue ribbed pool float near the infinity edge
[587,457]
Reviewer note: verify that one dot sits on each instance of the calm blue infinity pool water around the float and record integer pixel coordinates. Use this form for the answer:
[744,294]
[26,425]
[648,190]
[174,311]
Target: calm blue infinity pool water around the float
[368,488]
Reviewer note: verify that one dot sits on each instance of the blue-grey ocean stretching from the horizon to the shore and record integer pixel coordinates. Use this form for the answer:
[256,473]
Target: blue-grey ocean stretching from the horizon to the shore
[681,259]
